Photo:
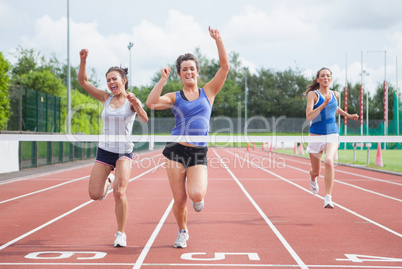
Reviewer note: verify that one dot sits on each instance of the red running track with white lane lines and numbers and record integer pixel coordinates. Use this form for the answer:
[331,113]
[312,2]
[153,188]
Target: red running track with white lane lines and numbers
[259,213]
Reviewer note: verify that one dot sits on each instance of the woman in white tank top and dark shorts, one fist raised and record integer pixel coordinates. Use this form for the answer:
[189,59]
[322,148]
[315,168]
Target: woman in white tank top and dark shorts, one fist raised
[119,111]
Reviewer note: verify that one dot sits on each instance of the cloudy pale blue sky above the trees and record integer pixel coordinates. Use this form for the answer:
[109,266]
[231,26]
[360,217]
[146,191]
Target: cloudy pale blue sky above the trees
[271,34]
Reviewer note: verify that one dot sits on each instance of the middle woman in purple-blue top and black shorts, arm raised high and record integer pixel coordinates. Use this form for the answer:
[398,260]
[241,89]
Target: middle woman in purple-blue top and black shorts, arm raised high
[192,109]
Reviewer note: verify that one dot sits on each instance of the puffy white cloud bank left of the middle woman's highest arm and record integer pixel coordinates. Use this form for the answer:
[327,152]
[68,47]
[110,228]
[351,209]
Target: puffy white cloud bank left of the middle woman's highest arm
[154,46]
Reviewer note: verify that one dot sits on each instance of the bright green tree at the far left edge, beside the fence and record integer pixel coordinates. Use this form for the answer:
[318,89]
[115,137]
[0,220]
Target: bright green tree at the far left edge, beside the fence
[5,67]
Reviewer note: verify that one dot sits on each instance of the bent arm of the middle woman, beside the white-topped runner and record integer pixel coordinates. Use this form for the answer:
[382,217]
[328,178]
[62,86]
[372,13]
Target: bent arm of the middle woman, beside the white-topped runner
[155,100]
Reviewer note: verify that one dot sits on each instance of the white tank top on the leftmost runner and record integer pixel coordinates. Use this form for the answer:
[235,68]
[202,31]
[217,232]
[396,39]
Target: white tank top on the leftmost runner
[117,122]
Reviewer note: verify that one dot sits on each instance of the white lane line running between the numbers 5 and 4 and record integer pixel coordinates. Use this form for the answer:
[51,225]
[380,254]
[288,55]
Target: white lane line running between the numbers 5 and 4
[270,224]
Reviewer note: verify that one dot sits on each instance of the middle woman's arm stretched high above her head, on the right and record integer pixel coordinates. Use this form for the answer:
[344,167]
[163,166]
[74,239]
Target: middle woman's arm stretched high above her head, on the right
[213,87]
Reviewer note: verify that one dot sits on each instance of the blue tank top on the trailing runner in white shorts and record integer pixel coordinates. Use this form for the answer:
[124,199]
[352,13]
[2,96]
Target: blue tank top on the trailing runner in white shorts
[325,122]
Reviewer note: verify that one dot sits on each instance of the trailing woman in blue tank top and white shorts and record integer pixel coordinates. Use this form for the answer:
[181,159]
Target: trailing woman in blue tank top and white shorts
[320,111]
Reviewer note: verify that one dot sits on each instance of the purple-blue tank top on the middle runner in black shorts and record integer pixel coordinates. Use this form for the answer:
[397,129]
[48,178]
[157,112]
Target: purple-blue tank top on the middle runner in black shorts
[192,117]
